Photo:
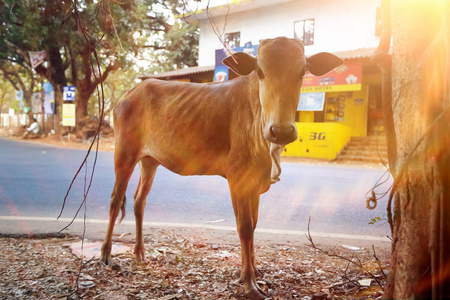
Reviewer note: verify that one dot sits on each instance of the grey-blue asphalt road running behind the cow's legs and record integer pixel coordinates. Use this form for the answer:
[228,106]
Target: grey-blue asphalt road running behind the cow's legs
[34,179]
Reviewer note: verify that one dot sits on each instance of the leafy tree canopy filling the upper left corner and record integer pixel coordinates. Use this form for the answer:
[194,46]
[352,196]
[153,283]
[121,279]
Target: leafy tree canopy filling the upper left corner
[61,27]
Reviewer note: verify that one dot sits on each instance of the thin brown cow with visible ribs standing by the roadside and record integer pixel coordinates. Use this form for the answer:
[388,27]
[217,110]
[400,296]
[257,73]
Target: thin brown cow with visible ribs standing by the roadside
[235,129]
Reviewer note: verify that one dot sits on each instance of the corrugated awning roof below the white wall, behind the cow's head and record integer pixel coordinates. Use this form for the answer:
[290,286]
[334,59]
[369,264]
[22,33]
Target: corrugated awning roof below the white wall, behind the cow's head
[345,55]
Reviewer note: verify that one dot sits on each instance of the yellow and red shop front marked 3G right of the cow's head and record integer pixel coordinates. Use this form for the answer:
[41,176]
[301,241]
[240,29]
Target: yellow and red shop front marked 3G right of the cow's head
[335,107]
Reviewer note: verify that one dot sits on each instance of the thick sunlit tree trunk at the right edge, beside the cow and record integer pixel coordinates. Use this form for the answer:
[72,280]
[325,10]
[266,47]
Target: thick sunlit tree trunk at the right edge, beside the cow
[420,84]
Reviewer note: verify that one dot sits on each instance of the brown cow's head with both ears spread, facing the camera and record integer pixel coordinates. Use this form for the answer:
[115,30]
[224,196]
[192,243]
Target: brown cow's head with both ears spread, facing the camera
[280,67]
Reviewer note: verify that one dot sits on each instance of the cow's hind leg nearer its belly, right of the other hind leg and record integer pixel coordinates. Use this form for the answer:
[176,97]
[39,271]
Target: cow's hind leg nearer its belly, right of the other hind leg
[148,168]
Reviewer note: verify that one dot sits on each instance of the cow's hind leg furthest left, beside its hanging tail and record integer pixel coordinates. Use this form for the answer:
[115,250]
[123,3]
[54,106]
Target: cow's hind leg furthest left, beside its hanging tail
[124,166]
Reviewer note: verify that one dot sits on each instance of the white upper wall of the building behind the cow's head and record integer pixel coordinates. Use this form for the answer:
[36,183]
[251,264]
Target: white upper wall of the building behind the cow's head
[339,25]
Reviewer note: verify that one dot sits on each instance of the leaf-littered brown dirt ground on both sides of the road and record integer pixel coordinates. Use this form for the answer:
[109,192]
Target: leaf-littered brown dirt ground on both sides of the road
[182,265]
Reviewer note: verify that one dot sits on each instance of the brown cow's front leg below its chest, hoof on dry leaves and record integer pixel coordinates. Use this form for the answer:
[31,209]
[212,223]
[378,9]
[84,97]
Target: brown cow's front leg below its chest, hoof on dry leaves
[246,212]
